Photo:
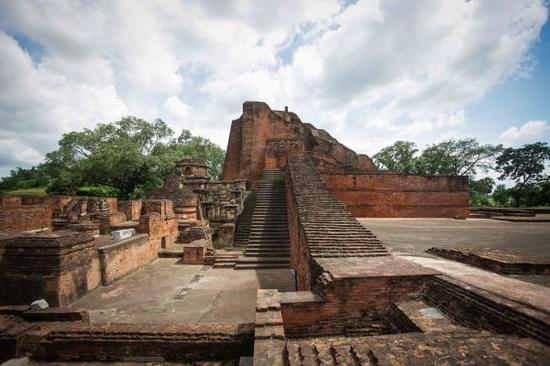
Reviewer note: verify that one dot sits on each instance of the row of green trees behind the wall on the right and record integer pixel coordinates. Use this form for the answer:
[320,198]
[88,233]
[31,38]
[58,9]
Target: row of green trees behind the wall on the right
[526,166]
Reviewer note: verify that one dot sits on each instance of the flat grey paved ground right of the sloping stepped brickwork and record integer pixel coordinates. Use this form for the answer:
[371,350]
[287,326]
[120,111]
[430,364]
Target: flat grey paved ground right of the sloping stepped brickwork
[414,236]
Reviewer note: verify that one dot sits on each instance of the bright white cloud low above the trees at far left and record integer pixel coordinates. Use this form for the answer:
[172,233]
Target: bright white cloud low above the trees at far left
[36,102]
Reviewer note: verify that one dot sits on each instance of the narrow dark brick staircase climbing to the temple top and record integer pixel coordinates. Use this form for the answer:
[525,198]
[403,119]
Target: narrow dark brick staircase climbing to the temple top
[268,242]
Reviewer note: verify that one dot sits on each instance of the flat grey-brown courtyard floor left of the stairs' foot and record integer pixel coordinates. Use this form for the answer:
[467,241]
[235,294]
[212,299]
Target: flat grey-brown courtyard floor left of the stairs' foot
[167,291]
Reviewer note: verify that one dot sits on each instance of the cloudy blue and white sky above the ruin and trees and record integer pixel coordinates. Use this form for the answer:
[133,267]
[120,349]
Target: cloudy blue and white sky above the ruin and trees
[369,72]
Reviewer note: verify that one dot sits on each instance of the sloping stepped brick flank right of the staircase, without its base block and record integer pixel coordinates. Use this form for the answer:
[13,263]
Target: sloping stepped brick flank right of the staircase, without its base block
[319,225]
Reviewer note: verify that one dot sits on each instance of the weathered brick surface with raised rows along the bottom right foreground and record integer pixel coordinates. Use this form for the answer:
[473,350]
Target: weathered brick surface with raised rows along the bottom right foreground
[417,349]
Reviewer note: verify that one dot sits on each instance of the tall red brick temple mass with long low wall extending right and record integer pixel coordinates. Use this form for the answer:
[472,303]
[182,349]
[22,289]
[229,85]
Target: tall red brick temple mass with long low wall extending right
[265,139]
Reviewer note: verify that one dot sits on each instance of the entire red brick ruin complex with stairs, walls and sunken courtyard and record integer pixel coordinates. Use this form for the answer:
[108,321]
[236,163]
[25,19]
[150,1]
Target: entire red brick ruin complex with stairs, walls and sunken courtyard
[287,208]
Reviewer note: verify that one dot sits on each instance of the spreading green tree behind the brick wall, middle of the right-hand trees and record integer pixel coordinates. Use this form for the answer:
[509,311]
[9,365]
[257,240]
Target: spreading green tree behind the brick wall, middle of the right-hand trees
[457,157]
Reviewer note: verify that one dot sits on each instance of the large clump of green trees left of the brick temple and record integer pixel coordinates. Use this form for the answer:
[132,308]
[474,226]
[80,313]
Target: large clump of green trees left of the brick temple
[125,159]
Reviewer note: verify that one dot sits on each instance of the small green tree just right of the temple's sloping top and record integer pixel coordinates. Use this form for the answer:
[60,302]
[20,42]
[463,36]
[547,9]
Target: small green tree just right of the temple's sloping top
[399,157]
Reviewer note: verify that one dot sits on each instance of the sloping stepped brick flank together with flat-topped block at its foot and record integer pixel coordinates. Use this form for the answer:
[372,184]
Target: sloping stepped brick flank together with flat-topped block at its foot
[340,260]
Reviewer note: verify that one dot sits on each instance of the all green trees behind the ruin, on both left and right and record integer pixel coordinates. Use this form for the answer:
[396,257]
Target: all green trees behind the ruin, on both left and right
[130,157]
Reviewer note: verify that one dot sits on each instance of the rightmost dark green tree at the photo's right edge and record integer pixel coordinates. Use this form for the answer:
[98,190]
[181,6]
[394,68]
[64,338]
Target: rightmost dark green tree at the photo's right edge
[525,166]
